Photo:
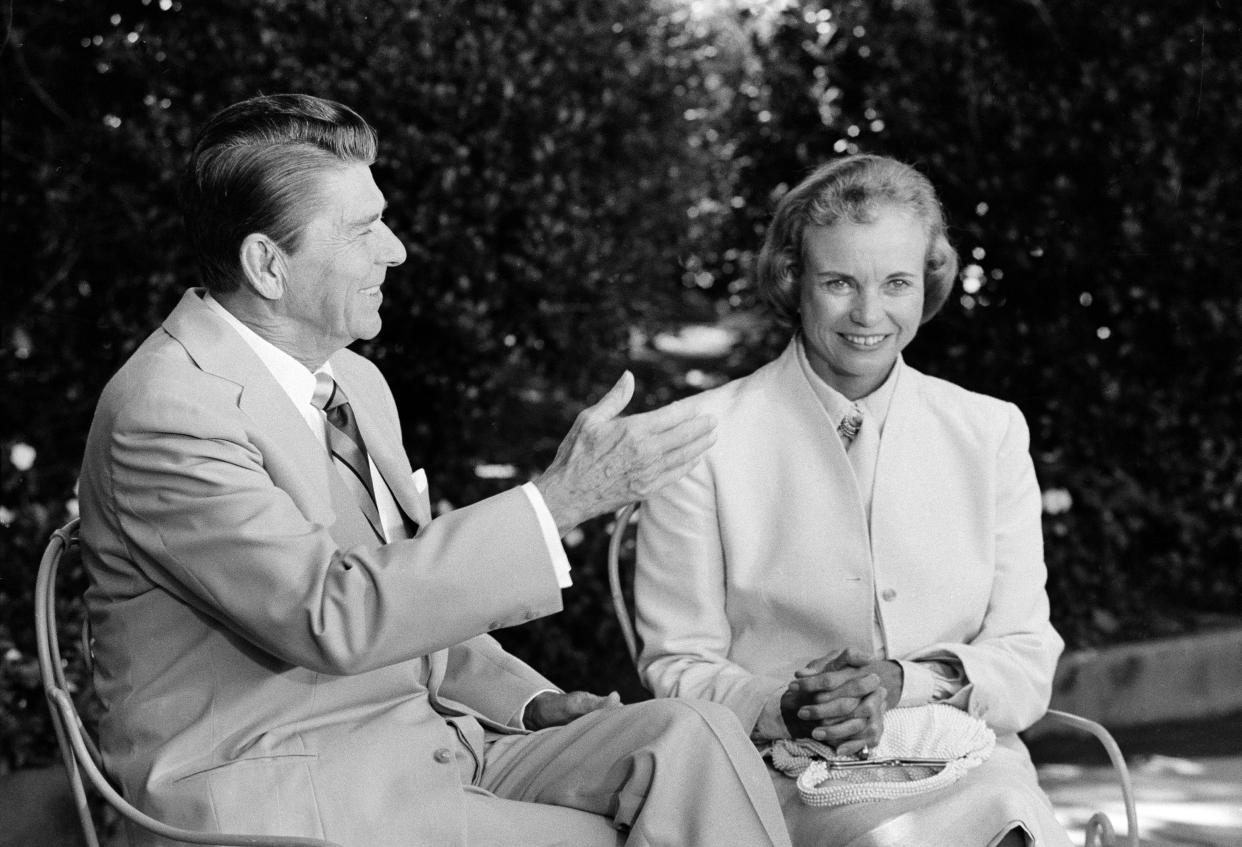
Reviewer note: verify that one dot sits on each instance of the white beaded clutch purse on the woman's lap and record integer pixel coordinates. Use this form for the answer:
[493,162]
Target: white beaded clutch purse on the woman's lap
[923,748]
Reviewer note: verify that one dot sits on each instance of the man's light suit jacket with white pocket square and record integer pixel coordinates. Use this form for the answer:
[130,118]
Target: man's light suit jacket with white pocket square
[264,665]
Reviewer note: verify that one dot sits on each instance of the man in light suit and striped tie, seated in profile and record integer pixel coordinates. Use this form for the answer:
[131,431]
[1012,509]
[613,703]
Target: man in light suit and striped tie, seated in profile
[286,641]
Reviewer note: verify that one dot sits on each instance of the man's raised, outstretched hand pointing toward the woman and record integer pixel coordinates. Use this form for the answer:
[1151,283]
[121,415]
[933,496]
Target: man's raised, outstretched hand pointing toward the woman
[608,461]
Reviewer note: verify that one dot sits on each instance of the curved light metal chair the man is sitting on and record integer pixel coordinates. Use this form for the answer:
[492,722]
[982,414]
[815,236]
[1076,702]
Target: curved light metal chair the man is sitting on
[79,750]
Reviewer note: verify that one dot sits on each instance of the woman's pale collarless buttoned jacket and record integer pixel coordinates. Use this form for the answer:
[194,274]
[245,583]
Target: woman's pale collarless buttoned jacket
[761,559]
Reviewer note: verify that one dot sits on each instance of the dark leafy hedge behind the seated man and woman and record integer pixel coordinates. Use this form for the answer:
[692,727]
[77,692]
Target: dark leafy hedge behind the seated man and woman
[573,178]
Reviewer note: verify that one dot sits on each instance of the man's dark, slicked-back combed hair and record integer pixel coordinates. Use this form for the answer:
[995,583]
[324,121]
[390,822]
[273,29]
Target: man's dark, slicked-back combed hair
[256,168]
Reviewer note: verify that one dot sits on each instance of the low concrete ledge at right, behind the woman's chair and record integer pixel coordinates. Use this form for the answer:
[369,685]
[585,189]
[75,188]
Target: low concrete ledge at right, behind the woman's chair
[1168,680]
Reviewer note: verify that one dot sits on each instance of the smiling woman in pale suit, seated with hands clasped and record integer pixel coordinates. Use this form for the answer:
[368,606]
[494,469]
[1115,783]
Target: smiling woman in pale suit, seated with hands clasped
[861,537]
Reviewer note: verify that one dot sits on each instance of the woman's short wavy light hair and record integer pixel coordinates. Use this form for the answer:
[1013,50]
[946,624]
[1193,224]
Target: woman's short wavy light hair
[855,189]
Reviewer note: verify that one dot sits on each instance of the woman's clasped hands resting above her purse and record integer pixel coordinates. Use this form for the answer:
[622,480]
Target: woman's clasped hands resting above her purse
[841,701]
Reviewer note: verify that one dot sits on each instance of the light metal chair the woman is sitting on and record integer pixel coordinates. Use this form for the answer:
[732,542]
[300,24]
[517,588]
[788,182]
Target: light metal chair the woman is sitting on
[1100,829]
